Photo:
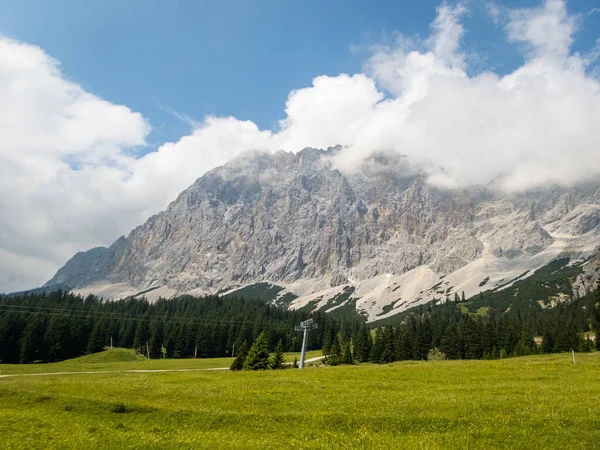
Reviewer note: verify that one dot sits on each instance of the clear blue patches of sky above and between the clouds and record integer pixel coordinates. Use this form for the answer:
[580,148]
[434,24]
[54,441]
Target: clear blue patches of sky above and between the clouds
[232,57]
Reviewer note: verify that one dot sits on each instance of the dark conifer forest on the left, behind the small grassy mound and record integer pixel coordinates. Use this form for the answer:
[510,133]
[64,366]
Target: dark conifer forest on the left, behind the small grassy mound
[47,327]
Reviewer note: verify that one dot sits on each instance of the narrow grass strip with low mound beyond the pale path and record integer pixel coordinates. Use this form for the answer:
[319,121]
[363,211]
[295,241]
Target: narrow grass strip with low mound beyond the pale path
[125,359]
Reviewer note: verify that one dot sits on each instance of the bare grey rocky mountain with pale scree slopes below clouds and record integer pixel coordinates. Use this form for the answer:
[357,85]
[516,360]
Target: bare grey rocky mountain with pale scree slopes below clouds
[379,239]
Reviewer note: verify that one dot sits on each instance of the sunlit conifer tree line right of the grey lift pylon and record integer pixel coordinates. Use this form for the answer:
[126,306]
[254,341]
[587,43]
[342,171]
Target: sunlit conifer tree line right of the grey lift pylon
[449,331]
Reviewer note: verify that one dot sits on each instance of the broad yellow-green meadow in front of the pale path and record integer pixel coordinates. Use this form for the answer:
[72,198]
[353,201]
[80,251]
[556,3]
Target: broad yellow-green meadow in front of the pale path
[530,402]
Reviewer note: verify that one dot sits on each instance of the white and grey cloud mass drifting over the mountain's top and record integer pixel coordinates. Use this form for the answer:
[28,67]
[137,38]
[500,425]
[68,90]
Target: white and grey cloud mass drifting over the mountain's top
[70,180]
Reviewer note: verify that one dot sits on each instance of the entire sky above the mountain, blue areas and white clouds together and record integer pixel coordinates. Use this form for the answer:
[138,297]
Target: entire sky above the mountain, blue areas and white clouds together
[475,92]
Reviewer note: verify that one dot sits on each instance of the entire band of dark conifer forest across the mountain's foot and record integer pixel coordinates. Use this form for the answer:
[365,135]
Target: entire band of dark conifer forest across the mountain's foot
[46,327]
